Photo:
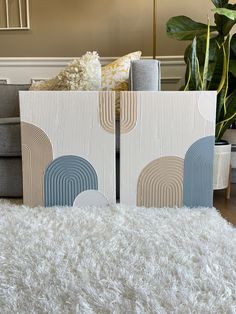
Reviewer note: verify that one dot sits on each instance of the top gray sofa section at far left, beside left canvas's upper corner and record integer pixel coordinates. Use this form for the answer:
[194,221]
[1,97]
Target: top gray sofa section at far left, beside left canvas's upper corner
[9,99]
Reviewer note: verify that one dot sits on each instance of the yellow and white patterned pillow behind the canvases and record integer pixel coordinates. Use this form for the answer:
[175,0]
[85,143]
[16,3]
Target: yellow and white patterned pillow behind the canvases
[115,75]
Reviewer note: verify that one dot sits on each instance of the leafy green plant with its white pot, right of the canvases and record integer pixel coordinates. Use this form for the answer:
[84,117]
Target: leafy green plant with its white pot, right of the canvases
[211,65]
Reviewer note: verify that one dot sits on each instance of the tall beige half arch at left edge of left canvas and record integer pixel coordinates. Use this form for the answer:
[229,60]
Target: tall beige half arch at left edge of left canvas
[36,155]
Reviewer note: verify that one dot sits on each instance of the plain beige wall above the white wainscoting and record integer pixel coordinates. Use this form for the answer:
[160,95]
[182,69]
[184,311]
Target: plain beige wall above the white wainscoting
[66,28]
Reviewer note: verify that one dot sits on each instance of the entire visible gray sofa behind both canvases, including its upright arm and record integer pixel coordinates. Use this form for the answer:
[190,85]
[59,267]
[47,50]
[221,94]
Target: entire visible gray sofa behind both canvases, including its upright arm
[144,75]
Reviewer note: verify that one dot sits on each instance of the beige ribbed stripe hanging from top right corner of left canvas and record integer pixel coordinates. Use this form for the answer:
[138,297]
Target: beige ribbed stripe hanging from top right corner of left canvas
[107,102]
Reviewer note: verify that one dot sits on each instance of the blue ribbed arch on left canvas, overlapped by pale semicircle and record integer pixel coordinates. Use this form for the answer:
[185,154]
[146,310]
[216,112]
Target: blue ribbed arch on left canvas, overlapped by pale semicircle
[65,178]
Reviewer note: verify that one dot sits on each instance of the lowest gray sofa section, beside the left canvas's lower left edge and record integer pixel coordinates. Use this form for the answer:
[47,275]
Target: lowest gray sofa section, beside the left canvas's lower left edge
[11,177]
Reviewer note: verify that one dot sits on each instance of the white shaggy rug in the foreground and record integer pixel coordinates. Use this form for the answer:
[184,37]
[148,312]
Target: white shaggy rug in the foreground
[119,260]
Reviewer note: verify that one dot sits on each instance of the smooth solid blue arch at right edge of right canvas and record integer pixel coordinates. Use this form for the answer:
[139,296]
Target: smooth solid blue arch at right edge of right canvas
[198,173]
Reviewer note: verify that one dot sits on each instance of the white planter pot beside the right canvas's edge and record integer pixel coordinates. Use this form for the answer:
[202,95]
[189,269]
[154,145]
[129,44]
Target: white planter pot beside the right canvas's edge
[222,160]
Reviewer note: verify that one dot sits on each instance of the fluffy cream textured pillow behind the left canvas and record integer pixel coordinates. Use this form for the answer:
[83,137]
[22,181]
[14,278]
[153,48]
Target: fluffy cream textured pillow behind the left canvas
[81,74]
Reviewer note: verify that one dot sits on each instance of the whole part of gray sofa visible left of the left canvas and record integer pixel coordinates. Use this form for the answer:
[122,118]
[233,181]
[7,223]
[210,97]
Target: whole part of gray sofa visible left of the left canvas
[10,143]
